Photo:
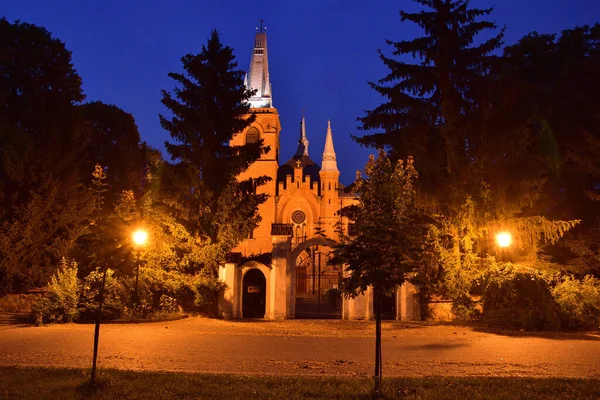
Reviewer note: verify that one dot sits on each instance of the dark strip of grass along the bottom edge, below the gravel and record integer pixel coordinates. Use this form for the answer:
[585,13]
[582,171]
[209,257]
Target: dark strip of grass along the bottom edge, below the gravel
[54,383]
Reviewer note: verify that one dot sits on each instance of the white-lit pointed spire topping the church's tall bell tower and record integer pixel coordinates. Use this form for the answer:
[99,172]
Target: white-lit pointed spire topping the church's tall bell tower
[258,76]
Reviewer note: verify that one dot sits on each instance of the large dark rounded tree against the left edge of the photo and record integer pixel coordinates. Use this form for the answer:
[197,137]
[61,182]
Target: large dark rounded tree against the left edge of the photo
[44,205]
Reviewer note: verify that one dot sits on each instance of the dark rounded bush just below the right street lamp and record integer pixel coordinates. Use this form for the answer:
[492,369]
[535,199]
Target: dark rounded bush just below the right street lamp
[519,298]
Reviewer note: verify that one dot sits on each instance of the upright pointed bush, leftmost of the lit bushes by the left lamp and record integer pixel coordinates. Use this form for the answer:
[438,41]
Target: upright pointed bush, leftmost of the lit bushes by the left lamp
[60,302]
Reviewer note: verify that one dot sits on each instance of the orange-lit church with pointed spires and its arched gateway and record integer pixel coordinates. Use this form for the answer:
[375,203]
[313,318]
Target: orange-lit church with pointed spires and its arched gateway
[281,271]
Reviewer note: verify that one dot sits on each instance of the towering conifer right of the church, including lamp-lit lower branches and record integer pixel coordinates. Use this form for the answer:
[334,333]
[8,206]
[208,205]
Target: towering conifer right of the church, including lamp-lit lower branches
[479,152]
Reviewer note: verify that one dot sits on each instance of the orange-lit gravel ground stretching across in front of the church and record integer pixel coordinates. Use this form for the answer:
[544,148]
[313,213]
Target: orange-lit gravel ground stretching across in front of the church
[304,347]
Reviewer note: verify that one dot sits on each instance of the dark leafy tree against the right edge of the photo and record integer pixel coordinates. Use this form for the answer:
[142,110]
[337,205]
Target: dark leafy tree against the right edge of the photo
[558,76]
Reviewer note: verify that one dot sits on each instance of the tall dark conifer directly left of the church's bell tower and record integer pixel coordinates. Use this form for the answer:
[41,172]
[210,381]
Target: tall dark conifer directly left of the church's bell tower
[209,106]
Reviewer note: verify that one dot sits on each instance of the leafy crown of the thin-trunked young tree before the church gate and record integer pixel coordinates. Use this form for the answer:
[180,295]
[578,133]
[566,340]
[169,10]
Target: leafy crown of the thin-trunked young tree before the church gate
[390,230]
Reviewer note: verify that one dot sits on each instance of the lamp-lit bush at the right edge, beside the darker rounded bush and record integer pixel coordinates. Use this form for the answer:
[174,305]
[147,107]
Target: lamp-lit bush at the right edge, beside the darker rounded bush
[579,302]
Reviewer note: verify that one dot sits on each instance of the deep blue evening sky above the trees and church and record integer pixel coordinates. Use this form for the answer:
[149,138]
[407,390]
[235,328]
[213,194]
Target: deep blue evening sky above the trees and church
[321,52]
